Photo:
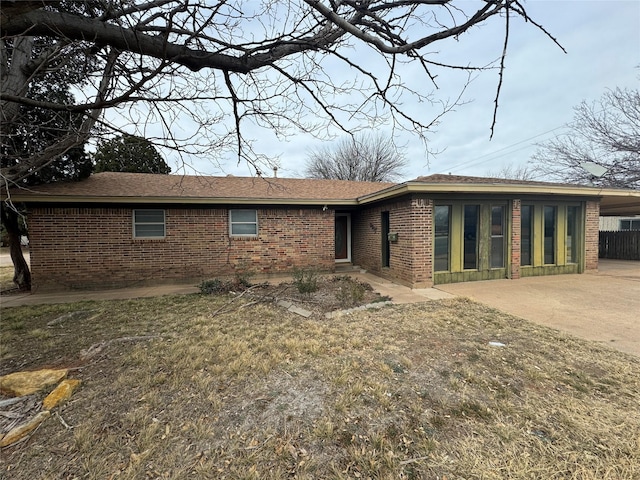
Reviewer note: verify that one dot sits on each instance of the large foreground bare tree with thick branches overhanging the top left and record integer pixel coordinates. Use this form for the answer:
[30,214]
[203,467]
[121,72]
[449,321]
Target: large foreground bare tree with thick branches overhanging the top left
[208,72]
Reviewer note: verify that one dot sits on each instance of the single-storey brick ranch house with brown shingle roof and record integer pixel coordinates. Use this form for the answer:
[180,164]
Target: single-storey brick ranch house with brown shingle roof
[116,229]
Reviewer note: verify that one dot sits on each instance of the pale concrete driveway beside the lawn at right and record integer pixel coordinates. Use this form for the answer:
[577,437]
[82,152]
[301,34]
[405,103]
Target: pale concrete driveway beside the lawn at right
[603,306]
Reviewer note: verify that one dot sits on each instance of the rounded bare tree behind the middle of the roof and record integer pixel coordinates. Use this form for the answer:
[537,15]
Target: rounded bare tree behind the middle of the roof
[364,157]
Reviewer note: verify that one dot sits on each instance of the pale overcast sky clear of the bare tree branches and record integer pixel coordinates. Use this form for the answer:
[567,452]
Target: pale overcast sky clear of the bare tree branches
[541,86]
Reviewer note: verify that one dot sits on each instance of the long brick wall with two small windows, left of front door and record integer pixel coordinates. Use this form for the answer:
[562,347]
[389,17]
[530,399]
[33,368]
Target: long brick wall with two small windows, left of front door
[91,247]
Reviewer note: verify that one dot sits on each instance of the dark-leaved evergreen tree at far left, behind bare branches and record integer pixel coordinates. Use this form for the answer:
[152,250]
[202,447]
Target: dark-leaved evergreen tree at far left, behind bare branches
[32,132]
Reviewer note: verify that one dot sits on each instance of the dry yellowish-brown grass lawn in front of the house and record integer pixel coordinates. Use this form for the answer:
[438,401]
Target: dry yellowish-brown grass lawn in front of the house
[413,391]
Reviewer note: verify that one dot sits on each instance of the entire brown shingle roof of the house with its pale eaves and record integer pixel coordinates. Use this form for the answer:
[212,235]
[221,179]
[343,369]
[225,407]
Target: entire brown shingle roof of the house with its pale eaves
[143,188]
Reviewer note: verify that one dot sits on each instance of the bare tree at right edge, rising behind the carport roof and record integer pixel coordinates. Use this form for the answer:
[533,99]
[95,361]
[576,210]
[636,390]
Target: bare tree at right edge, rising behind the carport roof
[606,133]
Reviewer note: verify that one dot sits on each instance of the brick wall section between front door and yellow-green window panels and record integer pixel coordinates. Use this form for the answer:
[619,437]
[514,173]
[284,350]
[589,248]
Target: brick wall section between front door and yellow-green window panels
[410,260]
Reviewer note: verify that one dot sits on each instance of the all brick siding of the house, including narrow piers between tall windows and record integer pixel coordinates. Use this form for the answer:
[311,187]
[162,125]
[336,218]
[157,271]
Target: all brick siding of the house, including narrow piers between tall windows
[90,247]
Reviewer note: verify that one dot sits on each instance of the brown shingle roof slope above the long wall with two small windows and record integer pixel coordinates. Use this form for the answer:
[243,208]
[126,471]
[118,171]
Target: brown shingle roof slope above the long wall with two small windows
[176,187]
